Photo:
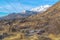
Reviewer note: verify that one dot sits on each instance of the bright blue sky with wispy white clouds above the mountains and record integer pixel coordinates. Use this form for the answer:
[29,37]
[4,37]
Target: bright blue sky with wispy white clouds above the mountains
[10,6]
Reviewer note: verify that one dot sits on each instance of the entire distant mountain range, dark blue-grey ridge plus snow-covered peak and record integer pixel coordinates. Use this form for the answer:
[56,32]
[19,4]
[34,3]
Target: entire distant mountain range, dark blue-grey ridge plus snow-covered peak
[27,13]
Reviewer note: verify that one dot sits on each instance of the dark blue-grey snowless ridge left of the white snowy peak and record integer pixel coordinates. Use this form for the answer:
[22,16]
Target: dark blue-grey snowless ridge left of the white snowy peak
[19,15]
